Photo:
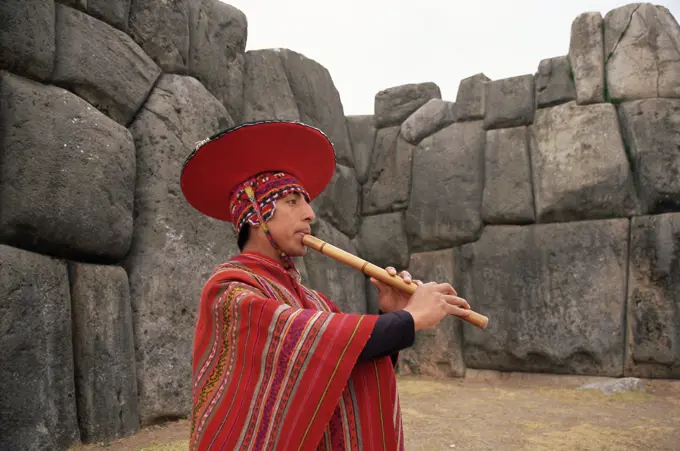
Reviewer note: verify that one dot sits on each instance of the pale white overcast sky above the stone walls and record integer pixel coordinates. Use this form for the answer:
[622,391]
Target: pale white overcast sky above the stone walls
[370,45]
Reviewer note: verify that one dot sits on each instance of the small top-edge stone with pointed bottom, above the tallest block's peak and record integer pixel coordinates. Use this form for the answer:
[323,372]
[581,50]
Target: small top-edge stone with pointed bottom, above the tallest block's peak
[161,28]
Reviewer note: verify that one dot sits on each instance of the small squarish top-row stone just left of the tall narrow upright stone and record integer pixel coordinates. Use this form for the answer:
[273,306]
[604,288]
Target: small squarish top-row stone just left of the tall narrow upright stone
[554,82]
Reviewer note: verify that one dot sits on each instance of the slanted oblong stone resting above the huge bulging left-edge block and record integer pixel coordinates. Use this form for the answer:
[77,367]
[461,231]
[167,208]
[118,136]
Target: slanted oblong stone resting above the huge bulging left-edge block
[102,65]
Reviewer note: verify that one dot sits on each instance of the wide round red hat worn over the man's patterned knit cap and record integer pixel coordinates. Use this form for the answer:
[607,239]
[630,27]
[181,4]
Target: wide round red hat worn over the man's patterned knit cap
[221,163]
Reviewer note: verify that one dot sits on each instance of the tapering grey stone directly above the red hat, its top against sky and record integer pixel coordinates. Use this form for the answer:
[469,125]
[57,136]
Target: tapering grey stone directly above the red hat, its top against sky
[266,91]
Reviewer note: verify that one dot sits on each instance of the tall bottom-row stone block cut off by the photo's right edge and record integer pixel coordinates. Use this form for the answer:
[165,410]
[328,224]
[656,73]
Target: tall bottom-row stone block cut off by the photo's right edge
[654,297]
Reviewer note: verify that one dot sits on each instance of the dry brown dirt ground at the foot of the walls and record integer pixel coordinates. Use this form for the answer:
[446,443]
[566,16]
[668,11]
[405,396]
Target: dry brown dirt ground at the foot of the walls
[512,411]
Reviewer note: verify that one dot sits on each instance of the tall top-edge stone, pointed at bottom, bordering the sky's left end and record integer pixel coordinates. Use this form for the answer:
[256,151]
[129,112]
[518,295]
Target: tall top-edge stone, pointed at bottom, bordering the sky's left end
[218,34]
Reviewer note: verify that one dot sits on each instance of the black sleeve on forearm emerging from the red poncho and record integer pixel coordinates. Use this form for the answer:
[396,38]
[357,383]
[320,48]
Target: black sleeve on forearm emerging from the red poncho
[392,332]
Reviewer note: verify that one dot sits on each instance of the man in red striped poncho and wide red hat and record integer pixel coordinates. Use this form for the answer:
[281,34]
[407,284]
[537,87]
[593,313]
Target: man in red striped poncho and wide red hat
[276,365]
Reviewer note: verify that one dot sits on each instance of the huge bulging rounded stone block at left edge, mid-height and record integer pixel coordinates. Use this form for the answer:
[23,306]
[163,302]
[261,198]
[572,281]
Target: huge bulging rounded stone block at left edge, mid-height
[67,174]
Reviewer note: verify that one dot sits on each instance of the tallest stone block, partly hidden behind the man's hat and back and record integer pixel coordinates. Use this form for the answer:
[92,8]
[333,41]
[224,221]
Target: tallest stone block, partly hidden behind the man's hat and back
[175,248]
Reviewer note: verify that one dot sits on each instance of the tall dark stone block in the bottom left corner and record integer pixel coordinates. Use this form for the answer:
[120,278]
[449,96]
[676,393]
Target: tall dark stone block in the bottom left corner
[37,393]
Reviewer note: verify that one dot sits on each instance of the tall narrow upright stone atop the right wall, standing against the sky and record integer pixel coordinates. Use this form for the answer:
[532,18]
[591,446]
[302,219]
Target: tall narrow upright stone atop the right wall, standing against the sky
[586,55]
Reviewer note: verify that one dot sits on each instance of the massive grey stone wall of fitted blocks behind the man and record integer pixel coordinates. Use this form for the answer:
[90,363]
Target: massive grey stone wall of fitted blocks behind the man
[550,200]
